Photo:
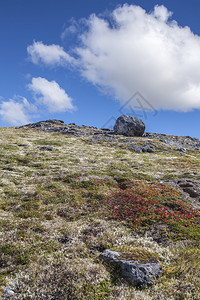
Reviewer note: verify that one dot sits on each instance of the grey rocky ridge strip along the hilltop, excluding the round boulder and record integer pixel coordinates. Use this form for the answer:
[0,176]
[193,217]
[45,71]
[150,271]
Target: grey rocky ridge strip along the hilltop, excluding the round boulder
[148,143]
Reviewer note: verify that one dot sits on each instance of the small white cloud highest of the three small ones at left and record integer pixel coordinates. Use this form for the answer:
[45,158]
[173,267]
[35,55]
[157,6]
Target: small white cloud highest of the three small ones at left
[51,55]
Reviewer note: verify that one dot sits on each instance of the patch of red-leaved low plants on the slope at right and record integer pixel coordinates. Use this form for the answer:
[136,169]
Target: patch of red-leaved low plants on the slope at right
[143,204]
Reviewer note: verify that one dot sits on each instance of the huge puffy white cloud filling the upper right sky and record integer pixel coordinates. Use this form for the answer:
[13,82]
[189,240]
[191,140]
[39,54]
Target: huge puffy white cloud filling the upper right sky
[143,52]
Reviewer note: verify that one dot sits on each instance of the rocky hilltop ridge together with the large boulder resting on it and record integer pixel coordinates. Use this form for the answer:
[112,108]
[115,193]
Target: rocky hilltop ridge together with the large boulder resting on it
[128,126]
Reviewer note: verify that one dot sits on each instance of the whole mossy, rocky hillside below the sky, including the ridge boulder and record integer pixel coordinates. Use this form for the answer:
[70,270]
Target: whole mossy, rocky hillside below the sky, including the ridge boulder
[116,211]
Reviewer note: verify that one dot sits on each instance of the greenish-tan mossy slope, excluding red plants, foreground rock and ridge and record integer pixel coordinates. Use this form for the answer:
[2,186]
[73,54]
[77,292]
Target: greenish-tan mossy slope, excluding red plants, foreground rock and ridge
[55,222]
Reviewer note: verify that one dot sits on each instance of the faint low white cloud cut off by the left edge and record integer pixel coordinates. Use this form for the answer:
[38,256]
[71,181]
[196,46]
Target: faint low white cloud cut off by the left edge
[15,111]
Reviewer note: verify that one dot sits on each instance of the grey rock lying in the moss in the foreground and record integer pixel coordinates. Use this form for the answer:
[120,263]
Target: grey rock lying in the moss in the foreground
[140,274]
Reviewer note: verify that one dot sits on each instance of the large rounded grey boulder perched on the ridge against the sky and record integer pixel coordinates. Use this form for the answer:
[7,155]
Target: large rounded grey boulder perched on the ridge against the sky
[129,126]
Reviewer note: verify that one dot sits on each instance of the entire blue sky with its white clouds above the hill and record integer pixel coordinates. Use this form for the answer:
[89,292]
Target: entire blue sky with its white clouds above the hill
[58,61]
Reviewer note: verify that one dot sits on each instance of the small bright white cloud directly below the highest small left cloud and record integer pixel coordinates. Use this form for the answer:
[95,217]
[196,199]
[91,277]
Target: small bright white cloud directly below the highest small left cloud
[51,95]
